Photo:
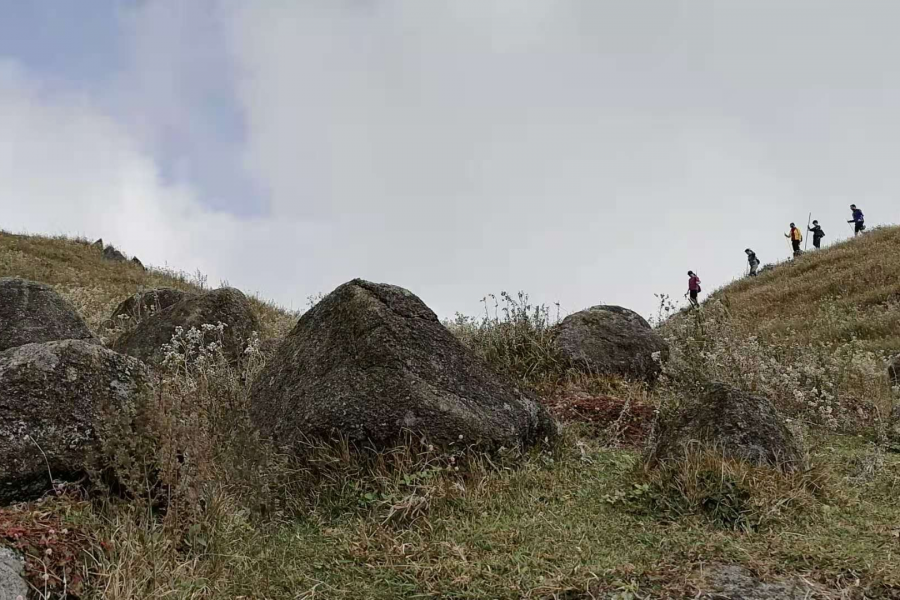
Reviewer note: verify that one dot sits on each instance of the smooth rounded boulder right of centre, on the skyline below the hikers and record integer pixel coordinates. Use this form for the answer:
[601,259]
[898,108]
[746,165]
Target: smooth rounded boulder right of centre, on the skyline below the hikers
[612,340]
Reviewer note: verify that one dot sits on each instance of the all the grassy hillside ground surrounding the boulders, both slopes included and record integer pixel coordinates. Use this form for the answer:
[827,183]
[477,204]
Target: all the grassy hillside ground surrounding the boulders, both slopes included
[583,518]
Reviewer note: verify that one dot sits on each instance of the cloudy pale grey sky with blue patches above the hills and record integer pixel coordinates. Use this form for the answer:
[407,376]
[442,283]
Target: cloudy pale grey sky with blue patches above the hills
[584,151]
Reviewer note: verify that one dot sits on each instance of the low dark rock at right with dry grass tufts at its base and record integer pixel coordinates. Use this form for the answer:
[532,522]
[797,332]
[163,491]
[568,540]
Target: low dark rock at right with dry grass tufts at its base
[738,424]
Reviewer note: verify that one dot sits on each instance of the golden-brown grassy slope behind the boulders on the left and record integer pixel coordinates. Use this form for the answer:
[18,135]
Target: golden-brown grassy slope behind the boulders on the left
[96,286]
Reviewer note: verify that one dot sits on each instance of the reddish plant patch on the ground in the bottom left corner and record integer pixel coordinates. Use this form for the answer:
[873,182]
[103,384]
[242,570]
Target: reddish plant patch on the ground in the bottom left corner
[53,551]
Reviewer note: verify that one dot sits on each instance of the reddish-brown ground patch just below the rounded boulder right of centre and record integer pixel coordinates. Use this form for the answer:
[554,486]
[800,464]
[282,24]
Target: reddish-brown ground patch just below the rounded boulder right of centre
[633,421]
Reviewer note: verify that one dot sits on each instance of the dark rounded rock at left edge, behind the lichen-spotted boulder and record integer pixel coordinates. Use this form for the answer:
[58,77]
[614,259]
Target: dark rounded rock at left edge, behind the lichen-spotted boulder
[33,312]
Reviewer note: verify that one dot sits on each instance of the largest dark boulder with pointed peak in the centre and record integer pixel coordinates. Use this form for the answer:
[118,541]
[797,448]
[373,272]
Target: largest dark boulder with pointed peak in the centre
[371,362]
